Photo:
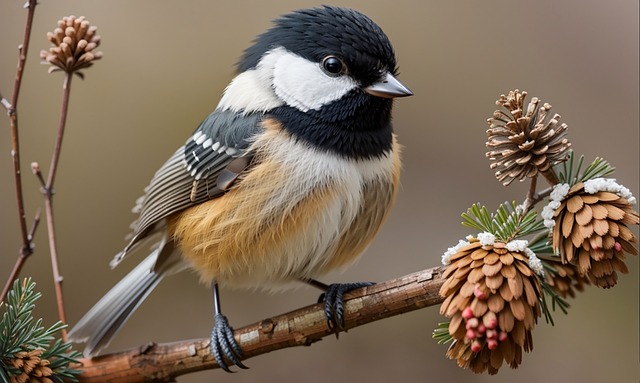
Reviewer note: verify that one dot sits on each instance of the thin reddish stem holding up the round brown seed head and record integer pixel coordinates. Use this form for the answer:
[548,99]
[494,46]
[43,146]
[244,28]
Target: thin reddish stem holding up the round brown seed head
[48,193]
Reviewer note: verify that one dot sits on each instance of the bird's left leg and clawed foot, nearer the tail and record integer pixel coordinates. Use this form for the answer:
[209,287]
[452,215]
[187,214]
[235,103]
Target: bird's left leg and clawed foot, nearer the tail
[223,344]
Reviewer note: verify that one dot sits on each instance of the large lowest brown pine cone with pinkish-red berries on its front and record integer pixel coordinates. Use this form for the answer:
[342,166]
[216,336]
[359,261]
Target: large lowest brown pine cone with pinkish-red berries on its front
[492,297]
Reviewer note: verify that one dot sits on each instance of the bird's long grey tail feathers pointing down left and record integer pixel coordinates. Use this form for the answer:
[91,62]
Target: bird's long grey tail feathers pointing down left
[103,321]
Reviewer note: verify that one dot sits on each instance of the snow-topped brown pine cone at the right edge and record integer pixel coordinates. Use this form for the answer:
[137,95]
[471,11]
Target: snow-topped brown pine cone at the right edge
[591,230]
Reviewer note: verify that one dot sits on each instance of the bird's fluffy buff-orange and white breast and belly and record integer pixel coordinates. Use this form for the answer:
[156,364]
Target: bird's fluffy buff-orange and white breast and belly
[298,212]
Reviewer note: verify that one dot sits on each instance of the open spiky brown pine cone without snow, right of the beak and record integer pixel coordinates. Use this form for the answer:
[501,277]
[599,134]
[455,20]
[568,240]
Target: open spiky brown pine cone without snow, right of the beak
[523,144]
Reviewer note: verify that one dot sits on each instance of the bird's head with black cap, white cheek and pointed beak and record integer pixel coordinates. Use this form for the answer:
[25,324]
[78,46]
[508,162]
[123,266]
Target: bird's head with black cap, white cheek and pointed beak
[315,57]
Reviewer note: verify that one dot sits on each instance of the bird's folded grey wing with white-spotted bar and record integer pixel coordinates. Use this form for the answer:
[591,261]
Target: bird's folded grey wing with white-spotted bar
[190,176]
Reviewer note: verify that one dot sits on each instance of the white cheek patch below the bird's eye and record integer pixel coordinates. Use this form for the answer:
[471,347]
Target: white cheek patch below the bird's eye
[302,84]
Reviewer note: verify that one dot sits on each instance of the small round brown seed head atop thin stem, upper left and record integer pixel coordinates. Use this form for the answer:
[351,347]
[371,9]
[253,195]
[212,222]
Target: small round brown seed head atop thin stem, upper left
[74,42]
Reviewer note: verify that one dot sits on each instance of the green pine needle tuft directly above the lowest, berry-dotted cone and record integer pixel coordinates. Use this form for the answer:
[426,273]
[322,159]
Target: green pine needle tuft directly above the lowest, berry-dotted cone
[507,223]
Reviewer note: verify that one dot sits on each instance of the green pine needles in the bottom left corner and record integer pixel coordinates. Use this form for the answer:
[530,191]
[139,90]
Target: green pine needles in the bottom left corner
[19,331]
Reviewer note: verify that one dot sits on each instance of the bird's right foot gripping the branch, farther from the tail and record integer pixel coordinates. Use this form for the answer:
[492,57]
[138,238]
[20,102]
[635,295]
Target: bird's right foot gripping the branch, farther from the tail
[333,298]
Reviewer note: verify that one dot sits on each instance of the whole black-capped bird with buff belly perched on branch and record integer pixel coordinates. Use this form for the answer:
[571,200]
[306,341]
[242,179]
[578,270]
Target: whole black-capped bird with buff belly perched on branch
[290,177]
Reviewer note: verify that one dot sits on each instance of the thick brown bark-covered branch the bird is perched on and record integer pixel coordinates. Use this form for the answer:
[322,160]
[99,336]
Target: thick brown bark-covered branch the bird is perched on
[301,327]
